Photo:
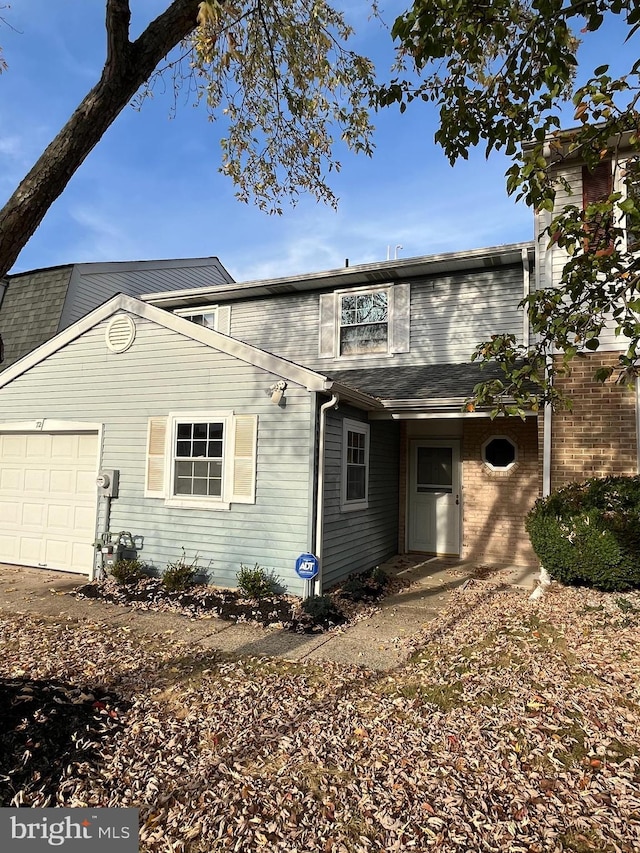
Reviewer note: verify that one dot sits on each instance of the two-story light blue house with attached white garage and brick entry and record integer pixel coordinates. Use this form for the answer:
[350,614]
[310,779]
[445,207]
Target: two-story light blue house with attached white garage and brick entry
[254,422]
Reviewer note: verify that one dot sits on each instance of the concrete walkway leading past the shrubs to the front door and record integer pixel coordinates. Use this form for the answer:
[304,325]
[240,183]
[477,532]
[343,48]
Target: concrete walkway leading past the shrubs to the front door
[375,642]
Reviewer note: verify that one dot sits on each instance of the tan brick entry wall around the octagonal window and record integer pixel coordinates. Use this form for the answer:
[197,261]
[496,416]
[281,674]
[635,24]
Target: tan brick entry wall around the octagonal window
[496,502]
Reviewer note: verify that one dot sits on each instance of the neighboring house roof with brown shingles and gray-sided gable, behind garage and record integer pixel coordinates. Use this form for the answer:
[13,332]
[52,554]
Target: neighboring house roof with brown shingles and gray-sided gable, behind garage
[37,304]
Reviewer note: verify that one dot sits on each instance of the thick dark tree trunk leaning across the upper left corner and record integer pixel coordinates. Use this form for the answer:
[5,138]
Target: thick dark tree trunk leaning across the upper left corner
[128,66]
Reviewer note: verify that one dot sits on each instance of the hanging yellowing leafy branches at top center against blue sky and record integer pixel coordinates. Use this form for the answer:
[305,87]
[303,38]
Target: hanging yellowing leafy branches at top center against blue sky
[282,77]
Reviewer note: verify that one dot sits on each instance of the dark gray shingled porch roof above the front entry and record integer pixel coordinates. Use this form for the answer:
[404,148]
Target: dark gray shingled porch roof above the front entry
[431,381]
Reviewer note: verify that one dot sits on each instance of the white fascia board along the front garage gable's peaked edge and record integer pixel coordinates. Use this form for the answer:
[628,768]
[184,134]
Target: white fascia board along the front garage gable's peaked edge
[288,370]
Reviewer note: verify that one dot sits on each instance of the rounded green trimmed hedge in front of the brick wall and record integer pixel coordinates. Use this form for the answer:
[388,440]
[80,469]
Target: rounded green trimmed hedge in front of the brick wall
[588,534]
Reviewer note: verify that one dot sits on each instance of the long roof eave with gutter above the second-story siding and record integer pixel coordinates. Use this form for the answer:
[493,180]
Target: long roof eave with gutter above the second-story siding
[380,272]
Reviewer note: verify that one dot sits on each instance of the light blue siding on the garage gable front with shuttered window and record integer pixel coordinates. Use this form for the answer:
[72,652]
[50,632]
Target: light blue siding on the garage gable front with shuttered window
[165,372]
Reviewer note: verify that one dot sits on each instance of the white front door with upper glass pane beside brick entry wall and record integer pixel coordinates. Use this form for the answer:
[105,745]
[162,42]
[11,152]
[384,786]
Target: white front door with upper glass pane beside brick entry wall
[434,497]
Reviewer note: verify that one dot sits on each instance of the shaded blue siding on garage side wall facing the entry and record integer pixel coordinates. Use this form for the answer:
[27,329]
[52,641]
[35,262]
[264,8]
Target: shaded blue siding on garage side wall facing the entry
[358,540]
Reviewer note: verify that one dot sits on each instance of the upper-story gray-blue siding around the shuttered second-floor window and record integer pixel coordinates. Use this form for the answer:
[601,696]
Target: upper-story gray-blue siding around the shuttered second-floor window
[449,316]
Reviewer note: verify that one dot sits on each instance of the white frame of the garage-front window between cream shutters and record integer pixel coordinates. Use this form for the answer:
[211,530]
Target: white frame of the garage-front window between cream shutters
[200,501]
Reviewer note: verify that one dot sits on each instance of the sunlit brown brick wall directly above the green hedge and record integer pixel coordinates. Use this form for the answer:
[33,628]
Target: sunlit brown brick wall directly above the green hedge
[598,437]
